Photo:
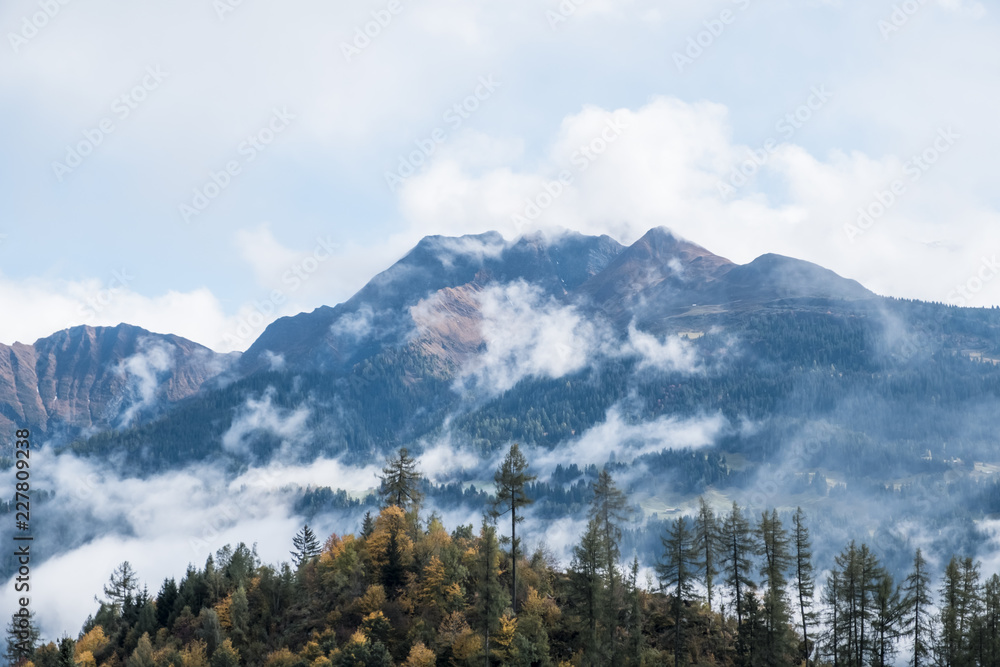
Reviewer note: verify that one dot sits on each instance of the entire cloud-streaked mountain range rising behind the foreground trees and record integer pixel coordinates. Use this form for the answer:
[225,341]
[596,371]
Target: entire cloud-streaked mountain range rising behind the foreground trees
[776,383]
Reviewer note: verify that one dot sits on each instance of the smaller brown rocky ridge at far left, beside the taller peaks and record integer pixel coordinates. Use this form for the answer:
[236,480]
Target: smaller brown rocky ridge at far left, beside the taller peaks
[86,378]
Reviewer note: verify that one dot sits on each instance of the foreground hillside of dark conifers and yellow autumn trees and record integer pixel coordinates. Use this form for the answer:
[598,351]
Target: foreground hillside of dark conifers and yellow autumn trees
[728,589]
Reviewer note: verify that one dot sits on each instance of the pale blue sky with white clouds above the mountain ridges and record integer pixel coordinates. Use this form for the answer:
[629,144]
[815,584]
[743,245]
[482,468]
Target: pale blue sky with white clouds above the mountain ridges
[197,165]
